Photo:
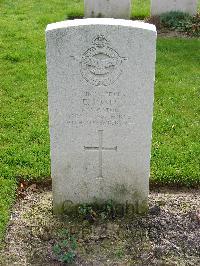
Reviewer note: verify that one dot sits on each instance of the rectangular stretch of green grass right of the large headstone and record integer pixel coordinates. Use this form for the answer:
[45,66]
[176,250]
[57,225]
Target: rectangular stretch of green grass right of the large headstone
[176,146]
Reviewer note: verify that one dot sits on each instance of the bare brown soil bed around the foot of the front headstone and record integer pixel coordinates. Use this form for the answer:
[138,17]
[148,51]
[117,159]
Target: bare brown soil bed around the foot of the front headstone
[168,235]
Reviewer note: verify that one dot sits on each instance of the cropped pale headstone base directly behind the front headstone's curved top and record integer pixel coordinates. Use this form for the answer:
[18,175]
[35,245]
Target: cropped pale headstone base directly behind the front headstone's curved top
[107,9]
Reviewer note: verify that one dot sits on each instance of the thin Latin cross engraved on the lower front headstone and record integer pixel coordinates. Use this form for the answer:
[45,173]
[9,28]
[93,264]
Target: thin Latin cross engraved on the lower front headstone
[100,149]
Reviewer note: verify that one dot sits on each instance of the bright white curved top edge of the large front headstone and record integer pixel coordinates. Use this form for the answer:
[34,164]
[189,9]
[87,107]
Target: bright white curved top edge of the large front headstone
[101,21]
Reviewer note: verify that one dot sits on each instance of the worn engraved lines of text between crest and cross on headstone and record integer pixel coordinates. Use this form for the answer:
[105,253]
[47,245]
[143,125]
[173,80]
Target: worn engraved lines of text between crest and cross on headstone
[100,108]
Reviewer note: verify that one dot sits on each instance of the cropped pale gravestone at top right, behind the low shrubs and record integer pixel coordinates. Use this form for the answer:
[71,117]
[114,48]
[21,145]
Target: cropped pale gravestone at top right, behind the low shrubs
[159,7]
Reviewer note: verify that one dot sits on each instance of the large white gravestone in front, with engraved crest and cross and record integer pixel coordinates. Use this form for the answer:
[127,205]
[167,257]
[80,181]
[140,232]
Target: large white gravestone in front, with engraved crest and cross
[101,87]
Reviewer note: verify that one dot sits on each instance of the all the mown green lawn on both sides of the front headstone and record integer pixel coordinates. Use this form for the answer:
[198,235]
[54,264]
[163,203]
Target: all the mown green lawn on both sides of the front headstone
[24,138]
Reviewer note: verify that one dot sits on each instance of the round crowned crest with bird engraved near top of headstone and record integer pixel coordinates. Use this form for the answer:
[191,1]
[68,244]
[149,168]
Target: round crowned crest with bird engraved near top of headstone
[101,64]
